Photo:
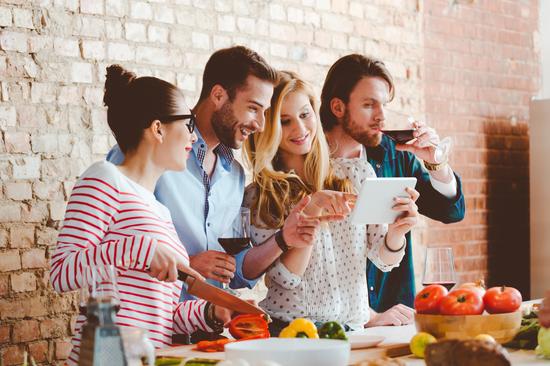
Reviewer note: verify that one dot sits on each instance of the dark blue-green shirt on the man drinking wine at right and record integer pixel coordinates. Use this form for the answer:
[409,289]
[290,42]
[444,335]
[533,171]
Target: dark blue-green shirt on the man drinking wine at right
[387,289]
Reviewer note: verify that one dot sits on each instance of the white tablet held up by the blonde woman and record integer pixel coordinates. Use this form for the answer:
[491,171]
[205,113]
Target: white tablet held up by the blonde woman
[375,202]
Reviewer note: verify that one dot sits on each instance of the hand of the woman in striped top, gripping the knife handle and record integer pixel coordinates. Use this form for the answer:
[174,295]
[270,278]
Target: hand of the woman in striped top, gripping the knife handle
[166,263]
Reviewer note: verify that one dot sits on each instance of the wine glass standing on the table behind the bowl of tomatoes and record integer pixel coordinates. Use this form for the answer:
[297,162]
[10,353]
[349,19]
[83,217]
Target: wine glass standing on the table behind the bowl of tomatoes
[439,267]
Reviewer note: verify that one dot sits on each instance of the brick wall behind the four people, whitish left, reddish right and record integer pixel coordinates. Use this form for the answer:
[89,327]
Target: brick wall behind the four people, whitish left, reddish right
[470,68]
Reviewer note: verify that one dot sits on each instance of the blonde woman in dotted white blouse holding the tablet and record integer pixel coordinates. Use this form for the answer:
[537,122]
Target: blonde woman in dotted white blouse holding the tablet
[290,160]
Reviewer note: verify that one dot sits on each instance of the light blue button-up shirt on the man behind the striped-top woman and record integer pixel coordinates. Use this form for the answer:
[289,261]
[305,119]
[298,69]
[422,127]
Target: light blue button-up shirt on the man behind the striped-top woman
[184,195]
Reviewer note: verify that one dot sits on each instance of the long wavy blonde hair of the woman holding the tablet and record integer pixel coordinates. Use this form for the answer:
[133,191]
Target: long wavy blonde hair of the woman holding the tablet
[278,191]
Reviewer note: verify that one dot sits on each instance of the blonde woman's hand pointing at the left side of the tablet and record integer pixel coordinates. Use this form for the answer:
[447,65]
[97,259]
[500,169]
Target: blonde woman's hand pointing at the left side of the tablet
[331,202]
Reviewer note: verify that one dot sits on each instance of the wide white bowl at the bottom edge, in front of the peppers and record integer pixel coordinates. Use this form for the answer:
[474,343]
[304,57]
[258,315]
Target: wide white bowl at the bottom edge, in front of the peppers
[291,351]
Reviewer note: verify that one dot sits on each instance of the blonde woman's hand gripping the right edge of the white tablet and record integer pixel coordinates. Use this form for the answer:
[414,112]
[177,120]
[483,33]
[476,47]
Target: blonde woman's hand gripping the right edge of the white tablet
[404,223]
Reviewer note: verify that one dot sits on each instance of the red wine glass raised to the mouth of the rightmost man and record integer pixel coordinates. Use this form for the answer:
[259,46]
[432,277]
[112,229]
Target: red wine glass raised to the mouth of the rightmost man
[402,132]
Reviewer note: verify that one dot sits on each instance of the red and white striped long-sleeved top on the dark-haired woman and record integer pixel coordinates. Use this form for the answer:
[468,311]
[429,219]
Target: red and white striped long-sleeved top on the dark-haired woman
[111,219]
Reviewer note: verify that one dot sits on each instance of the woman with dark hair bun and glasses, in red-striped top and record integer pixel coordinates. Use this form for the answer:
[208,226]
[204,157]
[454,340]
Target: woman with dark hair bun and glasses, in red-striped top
[113,218]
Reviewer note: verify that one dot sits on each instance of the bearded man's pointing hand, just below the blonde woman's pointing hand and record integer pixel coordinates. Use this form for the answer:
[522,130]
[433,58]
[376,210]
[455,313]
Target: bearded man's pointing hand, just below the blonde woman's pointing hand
[300,229]
